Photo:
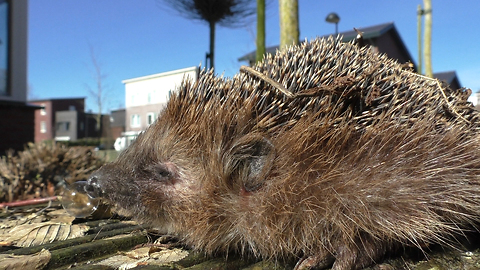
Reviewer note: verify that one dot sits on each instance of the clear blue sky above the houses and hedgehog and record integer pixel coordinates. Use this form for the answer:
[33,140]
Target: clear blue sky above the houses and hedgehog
[138,38]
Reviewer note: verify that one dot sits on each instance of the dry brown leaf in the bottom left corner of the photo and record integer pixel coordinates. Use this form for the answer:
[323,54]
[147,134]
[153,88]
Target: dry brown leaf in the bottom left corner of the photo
[26,262]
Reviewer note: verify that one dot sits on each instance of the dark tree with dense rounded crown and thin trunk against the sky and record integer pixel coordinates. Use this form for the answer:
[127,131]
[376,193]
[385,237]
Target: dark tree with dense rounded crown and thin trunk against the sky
[228,13]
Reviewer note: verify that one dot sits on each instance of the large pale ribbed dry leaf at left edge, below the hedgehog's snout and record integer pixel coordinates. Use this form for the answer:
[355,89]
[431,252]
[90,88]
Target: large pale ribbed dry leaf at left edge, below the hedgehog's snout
[27,235]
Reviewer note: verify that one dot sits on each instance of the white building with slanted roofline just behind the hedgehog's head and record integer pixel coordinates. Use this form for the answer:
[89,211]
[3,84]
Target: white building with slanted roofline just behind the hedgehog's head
[146,96]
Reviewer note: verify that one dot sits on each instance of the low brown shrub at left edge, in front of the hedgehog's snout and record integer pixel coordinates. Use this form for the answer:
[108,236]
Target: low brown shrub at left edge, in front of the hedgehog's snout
[41,169]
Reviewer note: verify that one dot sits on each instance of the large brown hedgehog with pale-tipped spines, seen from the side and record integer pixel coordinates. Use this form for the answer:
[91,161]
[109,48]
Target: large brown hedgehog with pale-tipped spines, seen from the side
[327,153]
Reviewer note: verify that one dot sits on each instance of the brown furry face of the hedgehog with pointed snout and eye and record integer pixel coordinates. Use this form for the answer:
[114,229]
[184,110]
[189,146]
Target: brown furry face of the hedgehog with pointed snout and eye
[143,182]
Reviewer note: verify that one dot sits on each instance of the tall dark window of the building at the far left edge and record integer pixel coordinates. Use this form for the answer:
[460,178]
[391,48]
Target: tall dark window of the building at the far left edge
[4,19]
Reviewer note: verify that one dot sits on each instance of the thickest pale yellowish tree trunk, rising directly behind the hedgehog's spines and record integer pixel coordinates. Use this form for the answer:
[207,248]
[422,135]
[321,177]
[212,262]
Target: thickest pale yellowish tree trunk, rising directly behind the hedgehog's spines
[289,32]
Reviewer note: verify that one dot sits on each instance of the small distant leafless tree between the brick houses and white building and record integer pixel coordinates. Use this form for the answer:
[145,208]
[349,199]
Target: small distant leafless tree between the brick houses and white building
[98,92]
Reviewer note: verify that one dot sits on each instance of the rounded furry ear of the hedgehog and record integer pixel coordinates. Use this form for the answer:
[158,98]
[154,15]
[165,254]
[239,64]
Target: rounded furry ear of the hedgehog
[252,159]
